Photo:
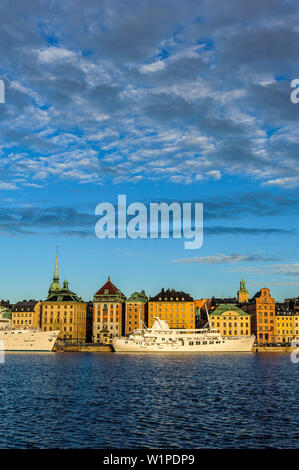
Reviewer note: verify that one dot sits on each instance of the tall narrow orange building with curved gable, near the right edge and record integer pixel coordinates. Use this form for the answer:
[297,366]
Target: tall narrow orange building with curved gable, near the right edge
[263,319]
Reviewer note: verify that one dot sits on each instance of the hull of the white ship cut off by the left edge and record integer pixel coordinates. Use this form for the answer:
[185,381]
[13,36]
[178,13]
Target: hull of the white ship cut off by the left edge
[28,340]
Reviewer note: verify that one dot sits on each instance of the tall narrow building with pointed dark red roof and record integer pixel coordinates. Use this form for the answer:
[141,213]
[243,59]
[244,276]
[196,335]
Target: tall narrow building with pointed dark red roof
[108,313]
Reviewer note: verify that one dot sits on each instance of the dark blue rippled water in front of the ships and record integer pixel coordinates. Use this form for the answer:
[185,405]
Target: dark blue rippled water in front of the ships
[89,400]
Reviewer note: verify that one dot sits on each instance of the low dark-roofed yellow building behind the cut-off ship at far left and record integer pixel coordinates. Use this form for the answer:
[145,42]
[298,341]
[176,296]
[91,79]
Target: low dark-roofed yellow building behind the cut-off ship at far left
[26,314]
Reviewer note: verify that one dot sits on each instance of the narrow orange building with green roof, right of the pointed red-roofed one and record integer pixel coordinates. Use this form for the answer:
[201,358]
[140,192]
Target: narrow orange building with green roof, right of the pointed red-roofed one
[136,312]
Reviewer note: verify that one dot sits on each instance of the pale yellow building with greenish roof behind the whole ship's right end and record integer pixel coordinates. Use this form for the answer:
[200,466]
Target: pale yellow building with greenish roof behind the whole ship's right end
[230,320]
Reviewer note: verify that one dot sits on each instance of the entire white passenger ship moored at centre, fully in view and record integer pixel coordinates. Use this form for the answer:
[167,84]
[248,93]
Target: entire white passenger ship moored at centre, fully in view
[160,338]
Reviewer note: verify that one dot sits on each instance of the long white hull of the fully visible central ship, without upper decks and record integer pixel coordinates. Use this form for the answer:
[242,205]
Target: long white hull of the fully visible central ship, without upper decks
[244,344]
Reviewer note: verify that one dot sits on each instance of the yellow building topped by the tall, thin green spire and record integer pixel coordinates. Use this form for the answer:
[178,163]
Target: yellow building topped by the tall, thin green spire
[63,310]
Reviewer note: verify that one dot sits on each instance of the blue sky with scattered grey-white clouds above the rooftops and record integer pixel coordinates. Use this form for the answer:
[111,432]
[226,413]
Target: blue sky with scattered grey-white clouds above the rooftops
[162,101]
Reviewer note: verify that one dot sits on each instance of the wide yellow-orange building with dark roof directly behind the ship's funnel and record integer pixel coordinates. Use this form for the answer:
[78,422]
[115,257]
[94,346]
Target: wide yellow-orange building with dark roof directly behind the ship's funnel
[177,308]
